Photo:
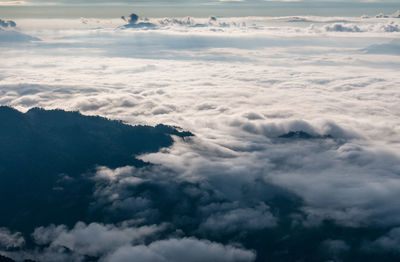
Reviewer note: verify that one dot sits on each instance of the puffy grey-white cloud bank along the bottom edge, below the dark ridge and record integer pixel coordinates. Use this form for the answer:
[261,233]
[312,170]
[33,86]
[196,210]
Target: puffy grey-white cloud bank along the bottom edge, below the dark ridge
[121,243]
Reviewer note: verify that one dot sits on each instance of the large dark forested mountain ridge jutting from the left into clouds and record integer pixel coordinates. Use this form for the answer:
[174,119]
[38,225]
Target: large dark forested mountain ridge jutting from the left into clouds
[39,147]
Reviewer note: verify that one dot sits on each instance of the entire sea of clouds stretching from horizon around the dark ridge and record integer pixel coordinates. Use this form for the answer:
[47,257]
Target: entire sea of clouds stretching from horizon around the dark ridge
[240,85]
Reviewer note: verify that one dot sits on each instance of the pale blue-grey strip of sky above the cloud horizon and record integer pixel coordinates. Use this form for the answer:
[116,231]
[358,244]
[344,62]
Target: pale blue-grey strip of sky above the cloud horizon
[103,8]
